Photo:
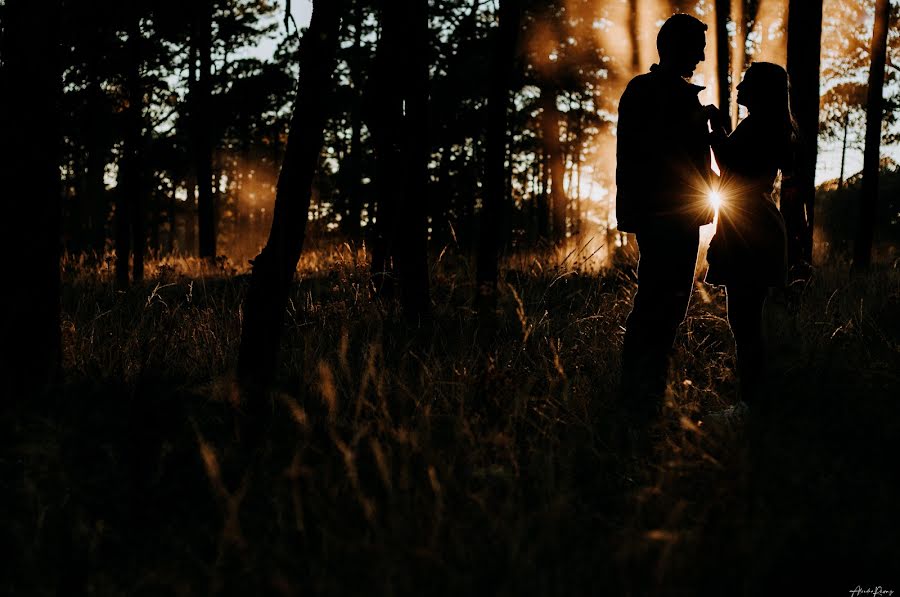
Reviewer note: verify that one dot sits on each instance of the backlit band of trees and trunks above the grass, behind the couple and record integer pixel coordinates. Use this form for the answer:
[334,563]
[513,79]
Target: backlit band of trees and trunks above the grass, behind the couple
[137,129]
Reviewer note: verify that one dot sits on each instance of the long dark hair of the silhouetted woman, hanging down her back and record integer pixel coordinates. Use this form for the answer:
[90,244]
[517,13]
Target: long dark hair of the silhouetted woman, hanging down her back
[772,95]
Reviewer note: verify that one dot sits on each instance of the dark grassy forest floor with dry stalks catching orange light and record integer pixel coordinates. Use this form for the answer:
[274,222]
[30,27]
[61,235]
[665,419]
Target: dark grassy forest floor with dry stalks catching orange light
[457,458]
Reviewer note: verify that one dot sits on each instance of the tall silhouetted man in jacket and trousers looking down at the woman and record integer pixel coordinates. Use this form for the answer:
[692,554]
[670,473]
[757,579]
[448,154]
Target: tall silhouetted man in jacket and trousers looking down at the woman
[662,174]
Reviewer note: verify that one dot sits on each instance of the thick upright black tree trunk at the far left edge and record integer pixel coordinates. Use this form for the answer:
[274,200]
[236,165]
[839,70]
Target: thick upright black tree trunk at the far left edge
[30,147]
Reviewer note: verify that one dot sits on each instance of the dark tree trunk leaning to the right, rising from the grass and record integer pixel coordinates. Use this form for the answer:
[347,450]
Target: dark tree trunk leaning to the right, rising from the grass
[273,270]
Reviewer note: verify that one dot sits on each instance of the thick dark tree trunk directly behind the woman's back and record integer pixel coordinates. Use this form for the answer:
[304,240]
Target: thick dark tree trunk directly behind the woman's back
[799,191]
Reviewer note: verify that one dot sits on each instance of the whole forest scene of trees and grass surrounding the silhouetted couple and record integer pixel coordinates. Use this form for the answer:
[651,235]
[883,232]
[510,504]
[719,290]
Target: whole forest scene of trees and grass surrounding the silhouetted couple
[427,395]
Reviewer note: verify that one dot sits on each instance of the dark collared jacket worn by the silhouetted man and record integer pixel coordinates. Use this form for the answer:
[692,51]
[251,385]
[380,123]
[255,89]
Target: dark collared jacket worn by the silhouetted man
[663,159]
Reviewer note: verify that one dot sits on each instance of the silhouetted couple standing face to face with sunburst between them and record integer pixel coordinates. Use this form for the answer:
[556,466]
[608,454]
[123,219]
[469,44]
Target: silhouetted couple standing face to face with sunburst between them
[665,182]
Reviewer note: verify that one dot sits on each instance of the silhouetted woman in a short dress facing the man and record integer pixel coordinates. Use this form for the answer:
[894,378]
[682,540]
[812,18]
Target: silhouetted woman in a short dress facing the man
[748,252]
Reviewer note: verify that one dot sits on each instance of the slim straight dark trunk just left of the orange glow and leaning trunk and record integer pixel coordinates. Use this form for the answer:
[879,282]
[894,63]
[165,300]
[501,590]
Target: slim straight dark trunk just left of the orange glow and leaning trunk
[203,142]
